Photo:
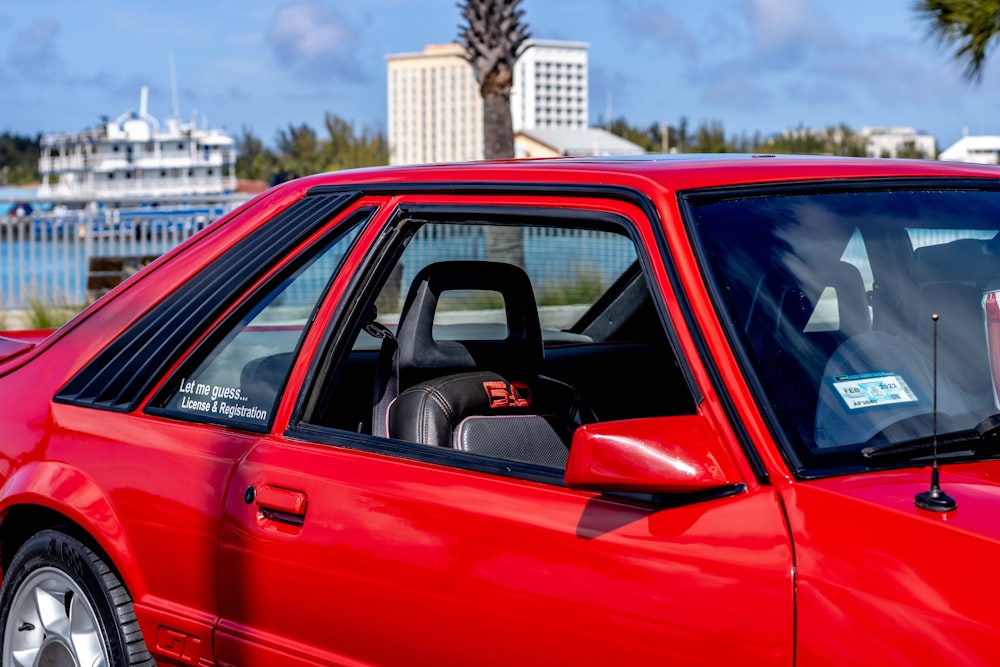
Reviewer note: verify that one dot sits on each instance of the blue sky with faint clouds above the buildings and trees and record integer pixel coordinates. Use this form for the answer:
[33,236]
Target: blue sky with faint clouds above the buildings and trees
[764,65]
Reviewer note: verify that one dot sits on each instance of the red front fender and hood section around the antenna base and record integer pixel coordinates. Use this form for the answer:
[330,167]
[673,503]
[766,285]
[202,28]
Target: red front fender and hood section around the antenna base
[869,558]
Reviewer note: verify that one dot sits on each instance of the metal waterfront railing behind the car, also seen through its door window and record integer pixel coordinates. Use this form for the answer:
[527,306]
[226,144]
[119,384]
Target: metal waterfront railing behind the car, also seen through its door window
[55,256]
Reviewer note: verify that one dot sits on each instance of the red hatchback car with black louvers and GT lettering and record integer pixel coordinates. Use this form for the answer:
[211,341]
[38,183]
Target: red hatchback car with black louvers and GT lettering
[704,411]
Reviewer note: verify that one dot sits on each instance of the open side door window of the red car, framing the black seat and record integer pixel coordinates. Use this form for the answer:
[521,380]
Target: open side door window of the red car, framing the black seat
[561,331]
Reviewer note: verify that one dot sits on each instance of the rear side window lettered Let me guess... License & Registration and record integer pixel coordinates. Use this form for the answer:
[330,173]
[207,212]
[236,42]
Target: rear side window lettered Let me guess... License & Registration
[235,378]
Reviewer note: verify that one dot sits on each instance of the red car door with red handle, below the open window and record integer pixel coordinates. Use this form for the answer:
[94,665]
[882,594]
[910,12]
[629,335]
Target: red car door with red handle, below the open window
[347,548]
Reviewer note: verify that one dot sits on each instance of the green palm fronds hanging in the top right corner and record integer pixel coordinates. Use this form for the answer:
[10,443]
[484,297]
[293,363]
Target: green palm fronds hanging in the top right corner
[971,26]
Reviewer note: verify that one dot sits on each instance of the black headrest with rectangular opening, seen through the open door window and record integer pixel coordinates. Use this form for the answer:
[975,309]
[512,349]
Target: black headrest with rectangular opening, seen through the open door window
[520,353]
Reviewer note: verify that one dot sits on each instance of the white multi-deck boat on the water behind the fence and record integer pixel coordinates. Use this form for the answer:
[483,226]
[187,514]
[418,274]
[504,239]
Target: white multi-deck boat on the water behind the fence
[134,156]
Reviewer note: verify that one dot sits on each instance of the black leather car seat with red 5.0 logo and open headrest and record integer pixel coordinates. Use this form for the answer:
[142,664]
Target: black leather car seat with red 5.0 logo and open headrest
[475,395]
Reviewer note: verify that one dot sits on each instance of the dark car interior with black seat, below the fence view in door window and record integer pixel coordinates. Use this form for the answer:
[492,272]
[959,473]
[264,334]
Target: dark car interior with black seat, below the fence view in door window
[494,380]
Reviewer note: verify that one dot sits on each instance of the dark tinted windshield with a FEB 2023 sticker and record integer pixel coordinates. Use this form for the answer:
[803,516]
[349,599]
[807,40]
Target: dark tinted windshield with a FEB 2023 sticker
[829,294]
